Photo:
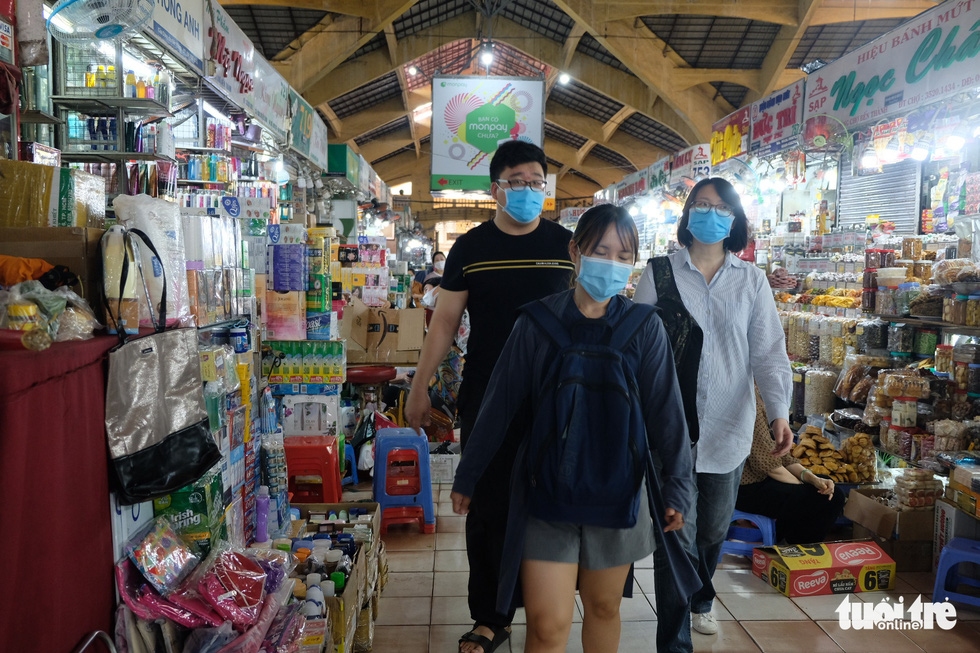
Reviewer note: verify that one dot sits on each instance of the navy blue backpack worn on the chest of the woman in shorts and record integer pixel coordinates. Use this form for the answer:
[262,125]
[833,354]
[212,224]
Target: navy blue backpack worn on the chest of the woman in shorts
[587,451]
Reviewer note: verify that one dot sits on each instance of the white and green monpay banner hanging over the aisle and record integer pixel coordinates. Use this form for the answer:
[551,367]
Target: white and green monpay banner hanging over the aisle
[471,116]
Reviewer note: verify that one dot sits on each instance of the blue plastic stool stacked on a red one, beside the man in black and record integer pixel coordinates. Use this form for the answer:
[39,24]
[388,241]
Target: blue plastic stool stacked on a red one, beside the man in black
[404,508]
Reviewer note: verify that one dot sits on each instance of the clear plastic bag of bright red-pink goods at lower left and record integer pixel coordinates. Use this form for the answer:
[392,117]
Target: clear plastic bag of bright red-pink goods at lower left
[234,584]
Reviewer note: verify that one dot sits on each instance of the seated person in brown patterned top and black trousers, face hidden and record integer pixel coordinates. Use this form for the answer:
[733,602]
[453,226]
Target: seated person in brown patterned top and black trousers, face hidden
[804,505]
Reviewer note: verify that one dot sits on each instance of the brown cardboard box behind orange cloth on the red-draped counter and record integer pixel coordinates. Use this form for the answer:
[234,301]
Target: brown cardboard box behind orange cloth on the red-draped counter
[77,248]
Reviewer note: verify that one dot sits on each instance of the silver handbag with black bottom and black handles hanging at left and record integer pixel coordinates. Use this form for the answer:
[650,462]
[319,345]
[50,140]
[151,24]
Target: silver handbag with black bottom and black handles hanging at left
[156,421]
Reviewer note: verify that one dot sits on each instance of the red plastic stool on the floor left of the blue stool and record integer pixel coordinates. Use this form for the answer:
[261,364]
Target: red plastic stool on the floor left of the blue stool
[313,455]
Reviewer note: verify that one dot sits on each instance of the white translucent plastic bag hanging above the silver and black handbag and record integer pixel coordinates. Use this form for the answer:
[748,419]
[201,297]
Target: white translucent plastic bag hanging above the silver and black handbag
[160,221]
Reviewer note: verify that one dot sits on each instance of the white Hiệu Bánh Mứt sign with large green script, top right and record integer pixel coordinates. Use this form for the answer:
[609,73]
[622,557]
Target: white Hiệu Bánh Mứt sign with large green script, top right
[930,57]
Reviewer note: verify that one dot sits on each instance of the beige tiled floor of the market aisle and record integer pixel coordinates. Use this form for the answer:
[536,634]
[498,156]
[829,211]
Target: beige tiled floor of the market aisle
[424,608]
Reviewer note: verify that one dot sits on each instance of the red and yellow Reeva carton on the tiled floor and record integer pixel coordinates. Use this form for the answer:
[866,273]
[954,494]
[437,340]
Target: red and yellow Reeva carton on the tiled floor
[825,568]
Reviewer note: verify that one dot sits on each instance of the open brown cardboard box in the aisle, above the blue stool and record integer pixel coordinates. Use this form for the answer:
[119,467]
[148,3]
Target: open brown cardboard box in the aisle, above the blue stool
[382,335]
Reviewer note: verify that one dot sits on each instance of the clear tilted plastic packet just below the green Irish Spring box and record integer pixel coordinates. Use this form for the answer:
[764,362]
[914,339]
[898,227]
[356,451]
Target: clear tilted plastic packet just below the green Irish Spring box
[163,558]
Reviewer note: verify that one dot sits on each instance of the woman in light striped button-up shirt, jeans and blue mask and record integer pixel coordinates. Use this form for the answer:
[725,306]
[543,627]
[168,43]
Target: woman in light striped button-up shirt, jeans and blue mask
[743,345]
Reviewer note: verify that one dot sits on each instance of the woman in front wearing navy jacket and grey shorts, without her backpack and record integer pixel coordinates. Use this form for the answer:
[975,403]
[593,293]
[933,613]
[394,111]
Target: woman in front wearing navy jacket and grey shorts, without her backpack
[554,557]
